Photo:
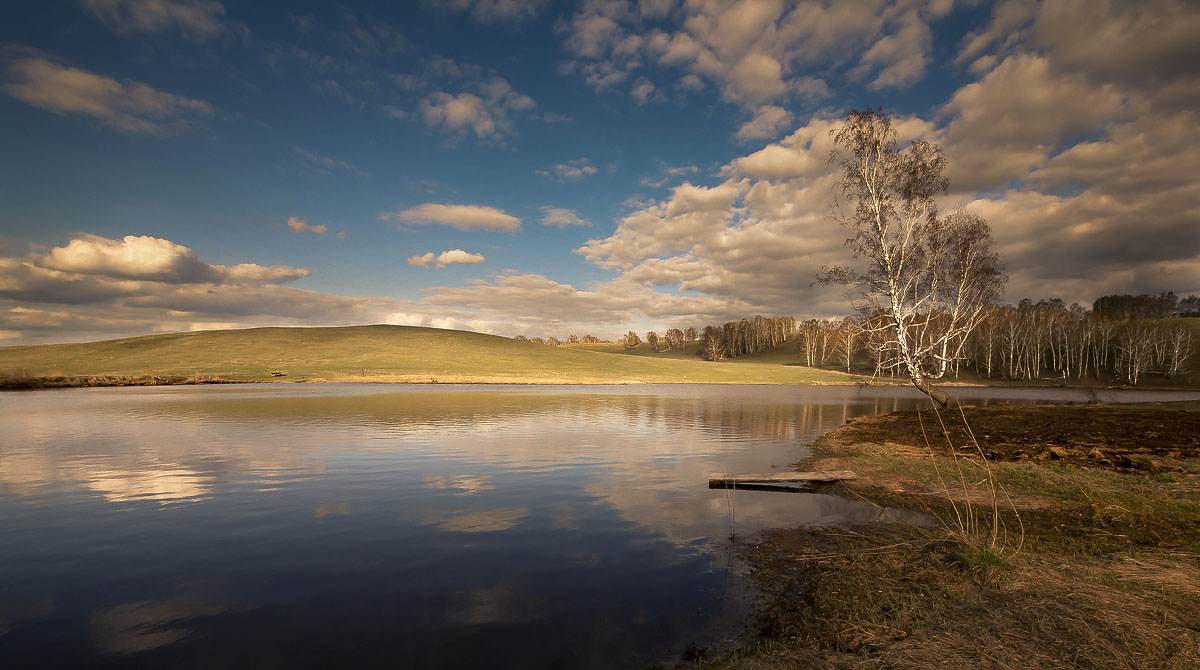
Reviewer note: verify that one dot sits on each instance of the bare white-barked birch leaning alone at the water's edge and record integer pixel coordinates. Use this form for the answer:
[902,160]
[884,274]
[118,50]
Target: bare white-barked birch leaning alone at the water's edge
[933,278]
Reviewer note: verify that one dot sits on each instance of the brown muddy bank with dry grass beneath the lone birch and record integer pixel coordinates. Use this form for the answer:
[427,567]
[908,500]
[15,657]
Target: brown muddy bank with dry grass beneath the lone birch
[1091,559]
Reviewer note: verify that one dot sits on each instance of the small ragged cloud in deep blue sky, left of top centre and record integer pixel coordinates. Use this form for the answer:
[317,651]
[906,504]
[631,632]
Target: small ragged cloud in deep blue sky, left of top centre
[484,113]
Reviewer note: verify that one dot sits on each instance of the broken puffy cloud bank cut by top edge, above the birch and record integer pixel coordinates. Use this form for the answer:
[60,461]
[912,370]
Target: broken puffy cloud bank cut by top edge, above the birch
[757,52]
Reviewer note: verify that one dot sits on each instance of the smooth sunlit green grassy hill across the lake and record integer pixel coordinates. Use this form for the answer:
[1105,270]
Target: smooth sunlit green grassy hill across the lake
[393,354]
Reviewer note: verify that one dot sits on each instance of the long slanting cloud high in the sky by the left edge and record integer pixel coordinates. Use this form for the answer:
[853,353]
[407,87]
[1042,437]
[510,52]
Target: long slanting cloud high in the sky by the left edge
[127,105]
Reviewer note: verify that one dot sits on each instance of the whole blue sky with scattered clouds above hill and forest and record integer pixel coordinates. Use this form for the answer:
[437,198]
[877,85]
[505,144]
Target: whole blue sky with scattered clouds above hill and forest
[531,167]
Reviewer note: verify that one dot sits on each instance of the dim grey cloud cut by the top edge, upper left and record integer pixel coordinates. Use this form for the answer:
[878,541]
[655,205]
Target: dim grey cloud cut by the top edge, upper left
[197,20]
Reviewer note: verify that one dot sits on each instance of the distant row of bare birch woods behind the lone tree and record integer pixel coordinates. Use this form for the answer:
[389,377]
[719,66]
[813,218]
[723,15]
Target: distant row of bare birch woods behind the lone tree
[1121,338]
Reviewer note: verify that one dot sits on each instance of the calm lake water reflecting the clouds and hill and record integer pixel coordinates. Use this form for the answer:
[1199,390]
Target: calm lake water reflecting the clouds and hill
[403,527]
